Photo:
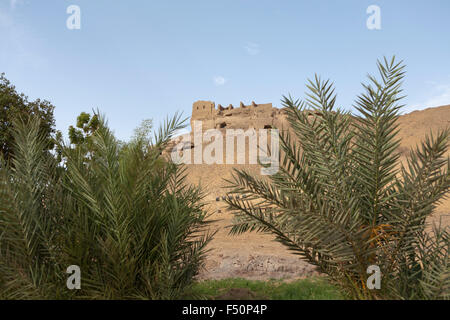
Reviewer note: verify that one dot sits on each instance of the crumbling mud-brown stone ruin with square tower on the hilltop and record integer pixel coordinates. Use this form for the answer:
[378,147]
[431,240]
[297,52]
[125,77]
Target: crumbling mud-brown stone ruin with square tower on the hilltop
[257,116]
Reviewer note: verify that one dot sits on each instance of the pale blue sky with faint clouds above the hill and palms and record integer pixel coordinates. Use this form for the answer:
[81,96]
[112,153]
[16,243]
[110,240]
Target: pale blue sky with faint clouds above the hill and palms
[148,59]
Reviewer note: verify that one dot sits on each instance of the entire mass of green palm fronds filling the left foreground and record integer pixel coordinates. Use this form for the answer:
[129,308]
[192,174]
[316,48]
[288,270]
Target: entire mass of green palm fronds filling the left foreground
[127,219]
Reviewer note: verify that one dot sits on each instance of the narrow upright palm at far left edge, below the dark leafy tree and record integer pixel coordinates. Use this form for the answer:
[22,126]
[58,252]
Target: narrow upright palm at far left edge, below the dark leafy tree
[29,215]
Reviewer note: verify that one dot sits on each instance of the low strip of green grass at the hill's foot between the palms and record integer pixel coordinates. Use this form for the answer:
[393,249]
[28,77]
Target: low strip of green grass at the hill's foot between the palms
[304,289]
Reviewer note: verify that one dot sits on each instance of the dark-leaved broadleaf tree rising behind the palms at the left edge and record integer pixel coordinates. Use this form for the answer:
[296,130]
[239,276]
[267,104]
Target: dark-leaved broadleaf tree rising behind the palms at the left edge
[14,105]
